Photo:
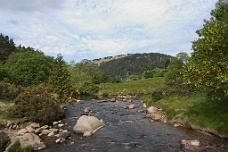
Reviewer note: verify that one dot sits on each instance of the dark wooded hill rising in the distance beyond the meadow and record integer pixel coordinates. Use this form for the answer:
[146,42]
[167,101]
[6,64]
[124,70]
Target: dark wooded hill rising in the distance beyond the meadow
[133,64]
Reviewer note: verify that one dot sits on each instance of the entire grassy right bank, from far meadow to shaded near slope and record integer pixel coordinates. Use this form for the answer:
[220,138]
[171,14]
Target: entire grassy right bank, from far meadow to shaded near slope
[194,111]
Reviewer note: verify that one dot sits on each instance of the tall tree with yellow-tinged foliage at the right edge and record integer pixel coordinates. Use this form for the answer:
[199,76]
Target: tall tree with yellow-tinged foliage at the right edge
[208,66]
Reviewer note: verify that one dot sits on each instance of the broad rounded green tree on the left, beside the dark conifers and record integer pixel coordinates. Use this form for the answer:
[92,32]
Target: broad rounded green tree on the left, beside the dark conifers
[29,67]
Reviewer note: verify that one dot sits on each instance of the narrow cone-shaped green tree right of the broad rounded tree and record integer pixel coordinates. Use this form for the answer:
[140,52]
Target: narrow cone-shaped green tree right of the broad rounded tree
[59,80]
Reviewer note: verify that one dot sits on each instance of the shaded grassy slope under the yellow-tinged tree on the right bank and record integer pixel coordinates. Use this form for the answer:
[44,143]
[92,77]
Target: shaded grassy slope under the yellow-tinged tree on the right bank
[196,111]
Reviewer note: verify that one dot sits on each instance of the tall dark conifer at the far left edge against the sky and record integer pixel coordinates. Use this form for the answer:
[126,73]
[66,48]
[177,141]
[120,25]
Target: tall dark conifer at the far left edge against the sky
[7,46]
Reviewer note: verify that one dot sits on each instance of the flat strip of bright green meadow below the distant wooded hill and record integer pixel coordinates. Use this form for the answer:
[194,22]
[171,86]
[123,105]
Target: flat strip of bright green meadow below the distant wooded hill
[135,87]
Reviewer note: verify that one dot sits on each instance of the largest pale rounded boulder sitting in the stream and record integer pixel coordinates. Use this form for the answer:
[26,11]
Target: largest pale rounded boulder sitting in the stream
[87,123]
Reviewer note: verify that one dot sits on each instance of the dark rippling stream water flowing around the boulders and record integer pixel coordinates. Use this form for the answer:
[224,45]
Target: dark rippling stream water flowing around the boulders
[129,130]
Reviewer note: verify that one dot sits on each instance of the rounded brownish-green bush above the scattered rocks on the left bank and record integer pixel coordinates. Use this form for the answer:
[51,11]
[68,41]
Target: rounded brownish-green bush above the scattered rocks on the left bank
[37,105]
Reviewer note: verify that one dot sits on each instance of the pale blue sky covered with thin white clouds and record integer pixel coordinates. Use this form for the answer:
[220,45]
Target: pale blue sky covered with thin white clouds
[92,29]
